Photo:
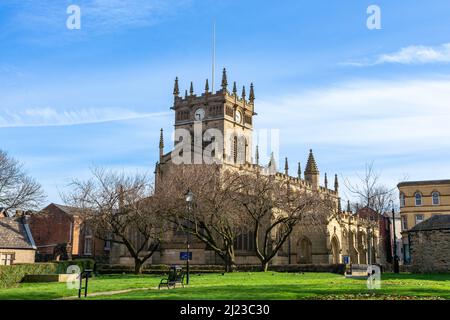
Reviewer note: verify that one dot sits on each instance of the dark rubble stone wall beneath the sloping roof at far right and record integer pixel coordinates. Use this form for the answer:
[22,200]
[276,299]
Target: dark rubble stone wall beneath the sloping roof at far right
[430,251]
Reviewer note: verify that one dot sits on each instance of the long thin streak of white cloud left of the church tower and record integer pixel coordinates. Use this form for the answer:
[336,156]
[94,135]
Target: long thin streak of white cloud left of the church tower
[40,117]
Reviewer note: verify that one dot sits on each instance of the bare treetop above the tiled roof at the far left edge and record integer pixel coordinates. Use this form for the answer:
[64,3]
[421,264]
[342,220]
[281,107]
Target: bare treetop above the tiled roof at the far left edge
[17,189]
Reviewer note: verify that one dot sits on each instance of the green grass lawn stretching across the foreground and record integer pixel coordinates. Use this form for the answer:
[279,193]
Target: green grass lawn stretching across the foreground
[245,285]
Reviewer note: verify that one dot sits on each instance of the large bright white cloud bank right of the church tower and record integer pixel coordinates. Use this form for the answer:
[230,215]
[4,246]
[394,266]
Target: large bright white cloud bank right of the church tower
[393,116]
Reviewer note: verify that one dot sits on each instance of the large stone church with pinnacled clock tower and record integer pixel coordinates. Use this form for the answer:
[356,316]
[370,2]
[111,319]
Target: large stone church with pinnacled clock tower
[345,237]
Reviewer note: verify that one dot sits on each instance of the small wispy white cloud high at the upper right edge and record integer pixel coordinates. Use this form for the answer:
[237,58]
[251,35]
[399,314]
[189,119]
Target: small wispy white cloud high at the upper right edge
[411,55]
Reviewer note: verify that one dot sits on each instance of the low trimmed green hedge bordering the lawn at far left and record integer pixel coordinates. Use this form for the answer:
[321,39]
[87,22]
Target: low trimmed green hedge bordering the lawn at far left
[13,274]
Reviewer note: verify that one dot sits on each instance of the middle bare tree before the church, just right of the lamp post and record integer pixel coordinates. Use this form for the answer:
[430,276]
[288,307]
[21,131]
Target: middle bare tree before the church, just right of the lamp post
[214,218]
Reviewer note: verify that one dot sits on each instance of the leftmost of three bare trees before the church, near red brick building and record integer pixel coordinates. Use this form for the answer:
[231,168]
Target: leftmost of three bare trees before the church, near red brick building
[121,209]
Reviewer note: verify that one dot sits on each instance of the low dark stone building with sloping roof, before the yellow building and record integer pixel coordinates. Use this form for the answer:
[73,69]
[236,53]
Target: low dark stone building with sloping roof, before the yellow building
[430,245]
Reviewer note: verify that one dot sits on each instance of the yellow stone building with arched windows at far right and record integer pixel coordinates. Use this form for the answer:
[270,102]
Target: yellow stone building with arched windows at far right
[419,201]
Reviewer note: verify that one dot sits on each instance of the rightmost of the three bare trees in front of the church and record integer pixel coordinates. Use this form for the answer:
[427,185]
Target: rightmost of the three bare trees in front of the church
[274,208]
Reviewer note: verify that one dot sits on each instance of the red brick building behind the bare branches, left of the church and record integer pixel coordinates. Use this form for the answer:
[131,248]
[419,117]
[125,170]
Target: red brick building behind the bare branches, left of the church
[59,229]
